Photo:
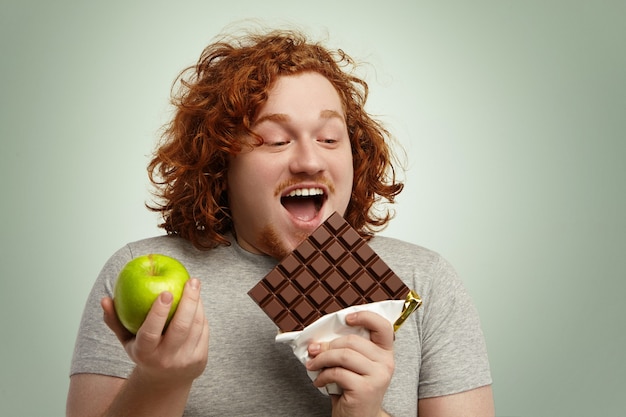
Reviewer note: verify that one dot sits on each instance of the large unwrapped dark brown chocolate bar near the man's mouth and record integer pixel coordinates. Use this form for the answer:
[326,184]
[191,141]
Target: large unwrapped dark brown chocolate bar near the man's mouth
[332,269]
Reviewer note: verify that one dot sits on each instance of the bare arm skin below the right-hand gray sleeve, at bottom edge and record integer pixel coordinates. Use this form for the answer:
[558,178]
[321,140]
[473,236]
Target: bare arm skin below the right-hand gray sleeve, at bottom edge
[474,403]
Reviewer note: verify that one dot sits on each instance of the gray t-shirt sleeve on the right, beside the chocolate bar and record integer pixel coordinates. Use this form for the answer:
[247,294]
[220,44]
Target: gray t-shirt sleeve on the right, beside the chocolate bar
[454,354]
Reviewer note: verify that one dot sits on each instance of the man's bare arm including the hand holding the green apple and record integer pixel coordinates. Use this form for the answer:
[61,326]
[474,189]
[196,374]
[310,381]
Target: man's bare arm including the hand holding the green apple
[166,363]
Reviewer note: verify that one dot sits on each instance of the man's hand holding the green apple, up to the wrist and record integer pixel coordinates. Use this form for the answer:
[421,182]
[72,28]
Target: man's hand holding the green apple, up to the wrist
[177,356]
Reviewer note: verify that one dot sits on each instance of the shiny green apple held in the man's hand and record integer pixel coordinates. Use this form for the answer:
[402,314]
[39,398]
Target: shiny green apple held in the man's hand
[139,284]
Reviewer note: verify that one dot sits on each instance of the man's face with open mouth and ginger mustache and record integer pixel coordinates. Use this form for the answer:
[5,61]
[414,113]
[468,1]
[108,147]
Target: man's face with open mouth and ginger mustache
[281,191]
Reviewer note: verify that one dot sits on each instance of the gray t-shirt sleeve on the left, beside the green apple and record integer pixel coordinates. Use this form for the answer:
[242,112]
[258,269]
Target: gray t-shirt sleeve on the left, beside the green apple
[97,349]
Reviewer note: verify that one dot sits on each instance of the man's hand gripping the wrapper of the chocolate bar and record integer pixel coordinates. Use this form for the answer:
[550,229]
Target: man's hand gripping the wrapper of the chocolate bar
[362,368]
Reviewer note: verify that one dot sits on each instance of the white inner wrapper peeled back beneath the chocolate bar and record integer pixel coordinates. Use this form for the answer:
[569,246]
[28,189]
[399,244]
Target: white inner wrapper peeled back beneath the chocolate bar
[331,326]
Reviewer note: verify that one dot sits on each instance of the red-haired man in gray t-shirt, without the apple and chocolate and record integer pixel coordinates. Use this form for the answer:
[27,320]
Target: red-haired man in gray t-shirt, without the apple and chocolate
[269,139]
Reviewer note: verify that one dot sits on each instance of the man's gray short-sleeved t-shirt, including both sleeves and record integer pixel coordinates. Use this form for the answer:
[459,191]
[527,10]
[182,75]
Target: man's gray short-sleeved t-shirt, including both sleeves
[440,350]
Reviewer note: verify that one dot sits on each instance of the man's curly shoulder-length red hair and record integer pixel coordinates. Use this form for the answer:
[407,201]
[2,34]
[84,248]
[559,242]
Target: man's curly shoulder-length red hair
[215,107]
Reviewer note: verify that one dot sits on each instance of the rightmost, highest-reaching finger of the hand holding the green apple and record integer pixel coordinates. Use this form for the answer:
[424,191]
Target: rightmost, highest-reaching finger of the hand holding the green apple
[181,324]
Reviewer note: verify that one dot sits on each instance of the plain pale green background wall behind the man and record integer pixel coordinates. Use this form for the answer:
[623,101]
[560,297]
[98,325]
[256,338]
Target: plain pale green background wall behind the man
[512,114]
